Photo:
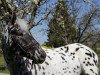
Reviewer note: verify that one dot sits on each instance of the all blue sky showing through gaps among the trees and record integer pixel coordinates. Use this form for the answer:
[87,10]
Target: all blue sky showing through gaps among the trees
[39,32]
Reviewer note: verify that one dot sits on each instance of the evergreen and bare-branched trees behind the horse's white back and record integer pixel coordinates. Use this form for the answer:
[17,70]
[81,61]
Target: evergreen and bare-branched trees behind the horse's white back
[67,26]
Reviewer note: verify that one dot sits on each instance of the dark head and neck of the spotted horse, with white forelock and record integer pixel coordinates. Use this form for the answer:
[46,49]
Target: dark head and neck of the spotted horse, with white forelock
[18,42]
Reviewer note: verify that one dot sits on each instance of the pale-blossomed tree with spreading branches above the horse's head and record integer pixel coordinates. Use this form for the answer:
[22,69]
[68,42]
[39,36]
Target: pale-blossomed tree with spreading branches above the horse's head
[23,8]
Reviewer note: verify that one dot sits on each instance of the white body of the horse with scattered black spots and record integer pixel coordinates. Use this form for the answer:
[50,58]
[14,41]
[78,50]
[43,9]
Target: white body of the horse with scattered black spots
[72,59]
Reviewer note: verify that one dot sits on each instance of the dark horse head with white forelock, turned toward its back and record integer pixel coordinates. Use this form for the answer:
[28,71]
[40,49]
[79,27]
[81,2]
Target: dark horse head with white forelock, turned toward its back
[24,41]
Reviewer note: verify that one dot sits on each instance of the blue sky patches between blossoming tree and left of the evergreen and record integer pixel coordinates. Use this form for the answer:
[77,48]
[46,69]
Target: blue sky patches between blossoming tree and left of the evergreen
[39,32]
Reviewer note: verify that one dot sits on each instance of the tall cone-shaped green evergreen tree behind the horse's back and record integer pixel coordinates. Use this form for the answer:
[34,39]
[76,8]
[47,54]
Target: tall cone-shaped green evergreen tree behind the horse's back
[61,27]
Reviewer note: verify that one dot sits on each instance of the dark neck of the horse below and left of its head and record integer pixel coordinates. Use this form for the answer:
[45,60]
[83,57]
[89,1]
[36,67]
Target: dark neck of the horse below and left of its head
[15,63]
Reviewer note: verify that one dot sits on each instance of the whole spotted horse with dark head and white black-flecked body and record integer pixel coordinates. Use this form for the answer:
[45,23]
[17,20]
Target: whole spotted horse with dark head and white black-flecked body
[24,56]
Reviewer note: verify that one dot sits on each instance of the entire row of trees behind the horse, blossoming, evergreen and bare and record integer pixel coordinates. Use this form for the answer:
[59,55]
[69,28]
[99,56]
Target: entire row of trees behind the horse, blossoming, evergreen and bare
[65,23]
